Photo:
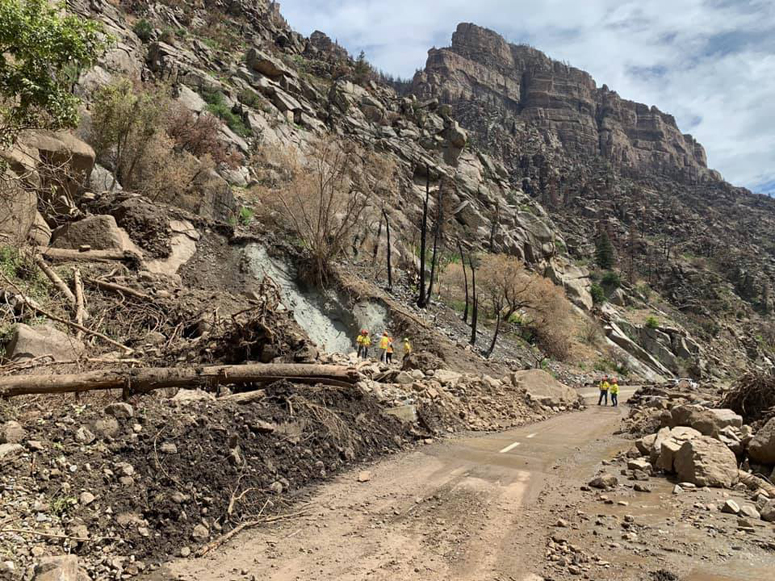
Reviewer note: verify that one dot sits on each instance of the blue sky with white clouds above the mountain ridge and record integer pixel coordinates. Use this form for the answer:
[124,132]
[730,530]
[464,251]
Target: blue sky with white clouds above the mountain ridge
[711,63]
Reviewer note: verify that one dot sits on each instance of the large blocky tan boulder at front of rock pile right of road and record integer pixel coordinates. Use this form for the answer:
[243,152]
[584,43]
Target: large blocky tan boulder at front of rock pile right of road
[705,461]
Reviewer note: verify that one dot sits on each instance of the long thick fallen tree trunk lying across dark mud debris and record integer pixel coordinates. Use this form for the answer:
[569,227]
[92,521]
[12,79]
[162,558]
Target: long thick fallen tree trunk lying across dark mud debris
[145,380]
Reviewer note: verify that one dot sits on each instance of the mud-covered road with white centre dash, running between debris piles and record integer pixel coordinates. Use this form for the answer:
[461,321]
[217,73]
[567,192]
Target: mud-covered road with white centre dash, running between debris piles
[471,508]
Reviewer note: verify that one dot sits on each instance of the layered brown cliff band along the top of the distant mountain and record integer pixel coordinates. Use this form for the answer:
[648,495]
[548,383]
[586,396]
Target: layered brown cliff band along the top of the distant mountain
[525,86]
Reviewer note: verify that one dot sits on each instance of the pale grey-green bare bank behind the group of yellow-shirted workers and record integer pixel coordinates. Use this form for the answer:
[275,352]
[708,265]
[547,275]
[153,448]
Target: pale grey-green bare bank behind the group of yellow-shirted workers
[326,316]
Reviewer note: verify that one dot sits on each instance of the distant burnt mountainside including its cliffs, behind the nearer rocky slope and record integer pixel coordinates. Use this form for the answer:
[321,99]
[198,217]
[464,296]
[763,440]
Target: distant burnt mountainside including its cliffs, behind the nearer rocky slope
[601,163]
